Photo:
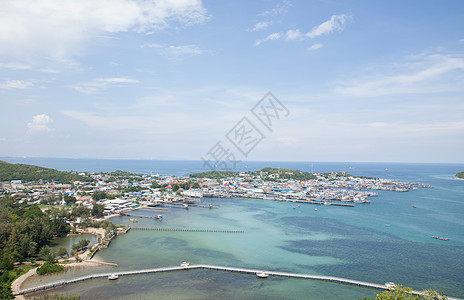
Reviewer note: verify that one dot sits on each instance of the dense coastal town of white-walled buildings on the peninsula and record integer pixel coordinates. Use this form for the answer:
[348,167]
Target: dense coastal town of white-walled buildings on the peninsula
[121,191]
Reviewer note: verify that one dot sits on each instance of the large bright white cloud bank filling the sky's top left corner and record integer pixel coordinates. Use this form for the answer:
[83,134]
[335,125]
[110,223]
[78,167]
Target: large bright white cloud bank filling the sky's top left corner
[59,29]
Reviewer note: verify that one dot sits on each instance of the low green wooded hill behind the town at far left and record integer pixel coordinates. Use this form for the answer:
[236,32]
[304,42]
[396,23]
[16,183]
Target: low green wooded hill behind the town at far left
[30,173]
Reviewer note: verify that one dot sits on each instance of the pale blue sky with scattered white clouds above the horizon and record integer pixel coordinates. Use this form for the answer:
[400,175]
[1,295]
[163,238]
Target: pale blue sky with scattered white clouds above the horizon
[361,81]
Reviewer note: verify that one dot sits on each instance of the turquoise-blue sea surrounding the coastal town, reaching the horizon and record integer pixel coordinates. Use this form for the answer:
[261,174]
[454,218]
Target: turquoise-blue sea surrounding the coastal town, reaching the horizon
[389,239]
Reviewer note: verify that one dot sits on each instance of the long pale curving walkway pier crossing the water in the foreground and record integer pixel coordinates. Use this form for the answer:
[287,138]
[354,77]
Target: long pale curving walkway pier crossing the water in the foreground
[209,267]
